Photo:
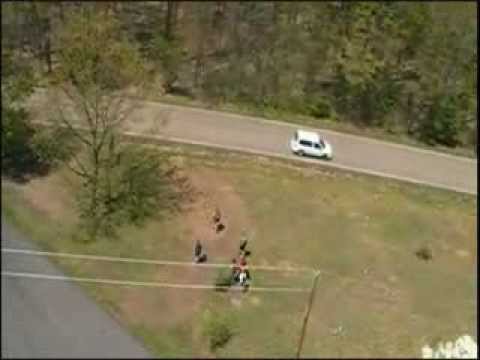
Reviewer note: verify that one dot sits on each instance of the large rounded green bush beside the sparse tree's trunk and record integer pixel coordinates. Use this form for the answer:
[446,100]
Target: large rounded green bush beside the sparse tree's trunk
[132,187]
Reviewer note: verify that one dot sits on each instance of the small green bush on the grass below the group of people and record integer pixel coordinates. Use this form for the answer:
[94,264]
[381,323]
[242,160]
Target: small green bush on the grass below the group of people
[218,330]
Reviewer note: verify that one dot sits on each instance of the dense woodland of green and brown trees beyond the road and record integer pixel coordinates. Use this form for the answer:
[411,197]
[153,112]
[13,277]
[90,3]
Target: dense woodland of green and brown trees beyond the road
[408,67]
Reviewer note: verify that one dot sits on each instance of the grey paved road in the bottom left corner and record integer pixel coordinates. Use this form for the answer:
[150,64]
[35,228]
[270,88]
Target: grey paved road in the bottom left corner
[44,318]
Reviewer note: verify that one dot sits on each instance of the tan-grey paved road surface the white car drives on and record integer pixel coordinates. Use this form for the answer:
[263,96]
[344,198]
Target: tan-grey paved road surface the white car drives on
[271,138]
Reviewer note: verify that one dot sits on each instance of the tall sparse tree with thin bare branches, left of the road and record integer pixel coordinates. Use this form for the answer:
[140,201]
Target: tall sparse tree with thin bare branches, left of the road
[91,100]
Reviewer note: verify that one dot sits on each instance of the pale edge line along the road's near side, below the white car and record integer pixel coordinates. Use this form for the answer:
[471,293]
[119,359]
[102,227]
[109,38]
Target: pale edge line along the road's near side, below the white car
[288,157]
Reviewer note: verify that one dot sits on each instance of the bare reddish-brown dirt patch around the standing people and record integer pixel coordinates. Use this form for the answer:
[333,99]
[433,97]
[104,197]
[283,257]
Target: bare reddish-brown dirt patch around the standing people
[206,193]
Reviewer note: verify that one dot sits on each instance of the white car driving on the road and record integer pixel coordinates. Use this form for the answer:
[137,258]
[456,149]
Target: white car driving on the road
[309,143]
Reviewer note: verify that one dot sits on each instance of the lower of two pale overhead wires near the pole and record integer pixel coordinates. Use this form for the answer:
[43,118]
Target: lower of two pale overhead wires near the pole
[144,284]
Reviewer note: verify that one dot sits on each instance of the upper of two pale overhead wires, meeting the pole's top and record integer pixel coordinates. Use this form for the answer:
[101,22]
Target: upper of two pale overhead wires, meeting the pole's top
[147,261]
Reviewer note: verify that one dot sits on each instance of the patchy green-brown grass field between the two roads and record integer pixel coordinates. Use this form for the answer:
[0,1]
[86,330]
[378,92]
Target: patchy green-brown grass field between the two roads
[362,232]
